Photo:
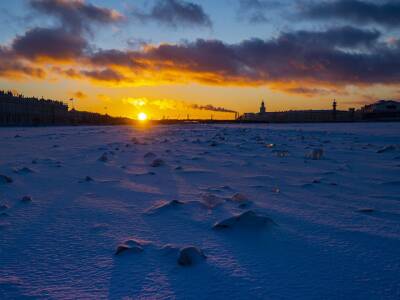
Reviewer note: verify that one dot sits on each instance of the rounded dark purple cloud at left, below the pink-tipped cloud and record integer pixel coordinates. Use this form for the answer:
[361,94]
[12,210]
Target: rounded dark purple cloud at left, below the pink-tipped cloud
[49,43]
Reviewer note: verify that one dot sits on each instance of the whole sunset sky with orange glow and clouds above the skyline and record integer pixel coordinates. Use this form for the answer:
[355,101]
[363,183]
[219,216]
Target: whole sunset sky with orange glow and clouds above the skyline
[177,57]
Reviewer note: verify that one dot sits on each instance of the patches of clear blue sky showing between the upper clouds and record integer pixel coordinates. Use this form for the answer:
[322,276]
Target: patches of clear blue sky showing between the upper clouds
[228,24]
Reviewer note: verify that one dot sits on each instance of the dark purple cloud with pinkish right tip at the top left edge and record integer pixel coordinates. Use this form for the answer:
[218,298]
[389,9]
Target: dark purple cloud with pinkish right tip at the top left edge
[76,15]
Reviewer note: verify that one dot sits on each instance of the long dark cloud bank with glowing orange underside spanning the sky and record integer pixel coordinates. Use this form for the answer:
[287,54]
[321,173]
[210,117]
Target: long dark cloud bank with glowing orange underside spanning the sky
[302,62]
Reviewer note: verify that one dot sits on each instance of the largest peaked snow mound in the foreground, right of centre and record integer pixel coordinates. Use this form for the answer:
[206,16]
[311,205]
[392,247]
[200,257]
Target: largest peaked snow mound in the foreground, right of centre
[246,220]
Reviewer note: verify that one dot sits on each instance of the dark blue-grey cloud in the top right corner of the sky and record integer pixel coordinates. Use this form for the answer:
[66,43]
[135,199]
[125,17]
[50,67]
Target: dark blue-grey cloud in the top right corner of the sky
[385,13]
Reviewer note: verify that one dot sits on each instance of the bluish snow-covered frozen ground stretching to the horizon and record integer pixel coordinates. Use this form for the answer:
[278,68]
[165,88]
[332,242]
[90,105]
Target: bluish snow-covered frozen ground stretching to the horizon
[96,194]
